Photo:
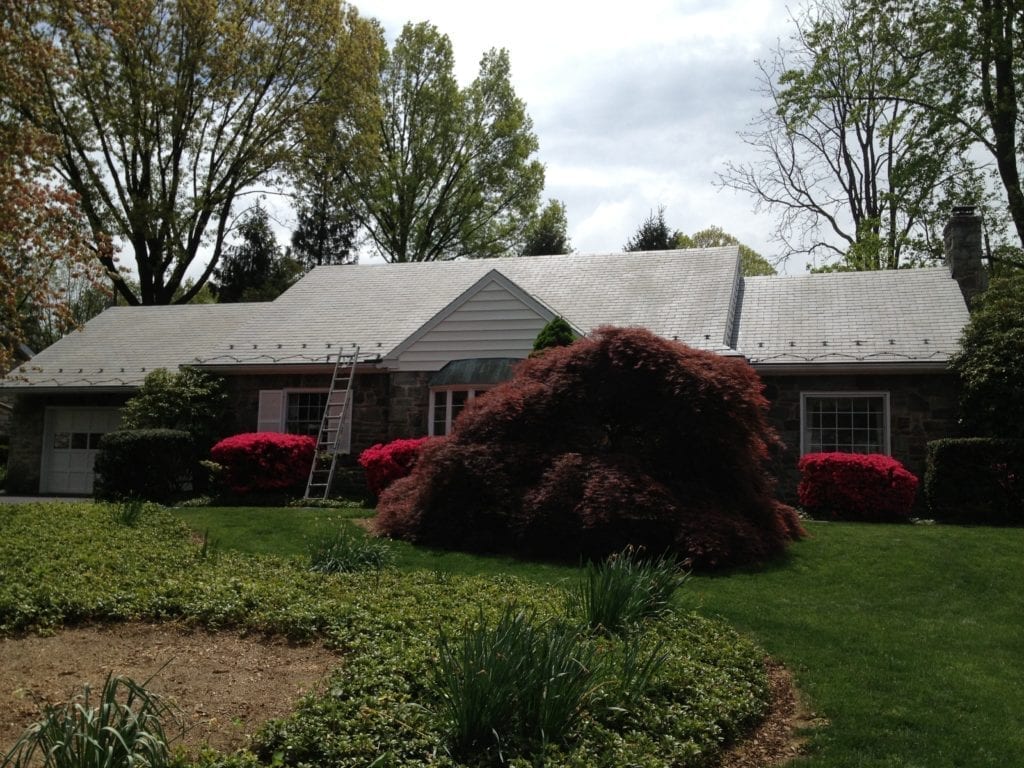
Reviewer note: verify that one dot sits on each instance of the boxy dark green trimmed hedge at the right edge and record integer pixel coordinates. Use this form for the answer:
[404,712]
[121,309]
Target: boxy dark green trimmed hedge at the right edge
[976,481]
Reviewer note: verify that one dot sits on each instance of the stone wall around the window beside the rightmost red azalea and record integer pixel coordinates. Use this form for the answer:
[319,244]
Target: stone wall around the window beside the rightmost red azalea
[923,408]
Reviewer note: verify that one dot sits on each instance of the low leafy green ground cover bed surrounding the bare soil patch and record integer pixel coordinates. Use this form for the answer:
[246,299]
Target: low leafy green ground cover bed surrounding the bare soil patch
[80,566]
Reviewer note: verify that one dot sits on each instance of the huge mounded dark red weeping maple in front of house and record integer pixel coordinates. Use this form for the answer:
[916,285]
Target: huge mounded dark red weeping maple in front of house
[621,439]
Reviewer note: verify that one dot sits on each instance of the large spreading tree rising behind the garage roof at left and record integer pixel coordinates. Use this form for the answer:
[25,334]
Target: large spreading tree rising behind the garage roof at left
[164,111]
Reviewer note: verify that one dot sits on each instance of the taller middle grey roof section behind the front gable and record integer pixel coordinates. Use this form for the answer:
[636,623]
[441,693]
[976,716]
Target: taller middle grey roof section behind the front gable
[689,295]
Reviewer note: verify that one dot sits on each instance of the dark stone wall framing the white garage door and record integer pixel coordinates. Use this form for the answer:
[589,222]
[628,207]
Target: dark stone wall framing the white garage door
[25,459]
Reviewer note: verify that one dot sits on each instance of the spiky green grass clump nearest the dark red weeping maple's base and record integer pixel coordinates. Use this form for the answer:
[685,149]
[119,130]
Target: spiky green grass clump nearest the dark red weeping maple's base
[625,589]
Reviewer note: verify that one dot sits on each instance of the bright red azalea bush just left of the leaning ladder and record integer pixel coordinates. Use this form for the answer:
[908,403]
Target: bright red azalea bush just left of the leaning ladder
[265,461]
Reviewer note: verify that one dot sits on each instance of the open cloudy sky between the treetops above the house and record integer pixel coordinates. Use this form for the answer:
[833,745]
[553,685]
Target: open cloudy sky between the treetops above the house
[635,105]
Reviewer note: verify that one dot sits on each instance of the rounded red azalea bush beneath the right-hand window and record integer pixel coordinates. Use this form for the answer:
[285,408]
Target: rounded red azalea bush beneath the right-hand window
[857,487]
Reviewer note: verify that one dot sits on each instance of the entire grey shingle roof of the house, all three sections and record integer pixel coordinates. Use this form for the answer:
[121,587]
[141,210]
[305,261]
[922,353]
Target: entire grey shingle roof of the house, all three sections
[697,296]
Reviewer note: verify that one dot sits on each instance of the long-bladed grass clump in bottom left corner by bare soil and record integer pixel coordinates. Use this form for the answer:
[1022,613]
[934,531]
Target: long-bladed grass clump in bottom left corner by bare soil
[123,731]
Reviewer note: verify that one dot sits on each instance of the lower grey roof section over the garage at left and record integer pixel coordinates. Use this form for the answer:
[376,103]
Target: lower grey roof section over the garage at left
[120,347]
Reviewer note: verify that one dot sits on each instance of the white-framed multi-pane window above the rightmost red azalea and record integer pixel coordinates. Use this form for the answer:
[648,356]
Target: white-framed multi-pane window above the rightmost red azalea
[849,423]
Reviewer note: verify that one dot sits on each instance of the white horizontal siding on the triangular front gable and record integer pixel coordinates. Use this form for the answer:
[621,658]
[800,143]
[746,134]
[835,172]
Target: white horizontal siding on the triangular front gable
[492,323]
